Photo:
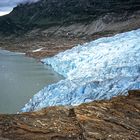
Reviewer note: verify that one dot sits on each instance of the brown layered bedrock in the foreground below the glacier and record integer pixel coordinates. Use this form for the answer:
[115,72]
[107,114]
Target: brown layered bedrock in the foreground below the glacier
[116,119]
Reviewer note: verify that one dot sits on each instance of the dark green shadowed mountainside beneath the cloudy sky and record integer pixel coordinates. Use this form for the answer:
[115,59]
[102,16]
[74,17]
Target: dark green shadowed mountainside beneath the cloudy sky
[47,13]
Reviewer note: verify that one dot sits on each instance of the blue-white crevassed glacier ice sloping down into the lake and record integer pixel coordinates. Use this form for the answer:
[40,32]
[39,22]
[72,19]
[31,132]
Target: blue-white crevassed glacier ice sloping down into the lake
[101,69]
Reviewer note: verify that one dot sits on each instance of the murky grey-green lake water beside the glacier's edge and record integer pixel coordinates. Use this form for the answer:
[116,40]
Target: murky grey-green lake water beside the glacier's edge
[20,78]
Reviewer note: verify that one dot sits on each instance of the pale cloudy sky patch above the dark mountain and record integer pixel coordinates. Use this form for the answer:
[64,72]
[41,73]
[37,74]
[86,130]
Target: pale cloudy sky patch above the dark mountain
[6,6]
